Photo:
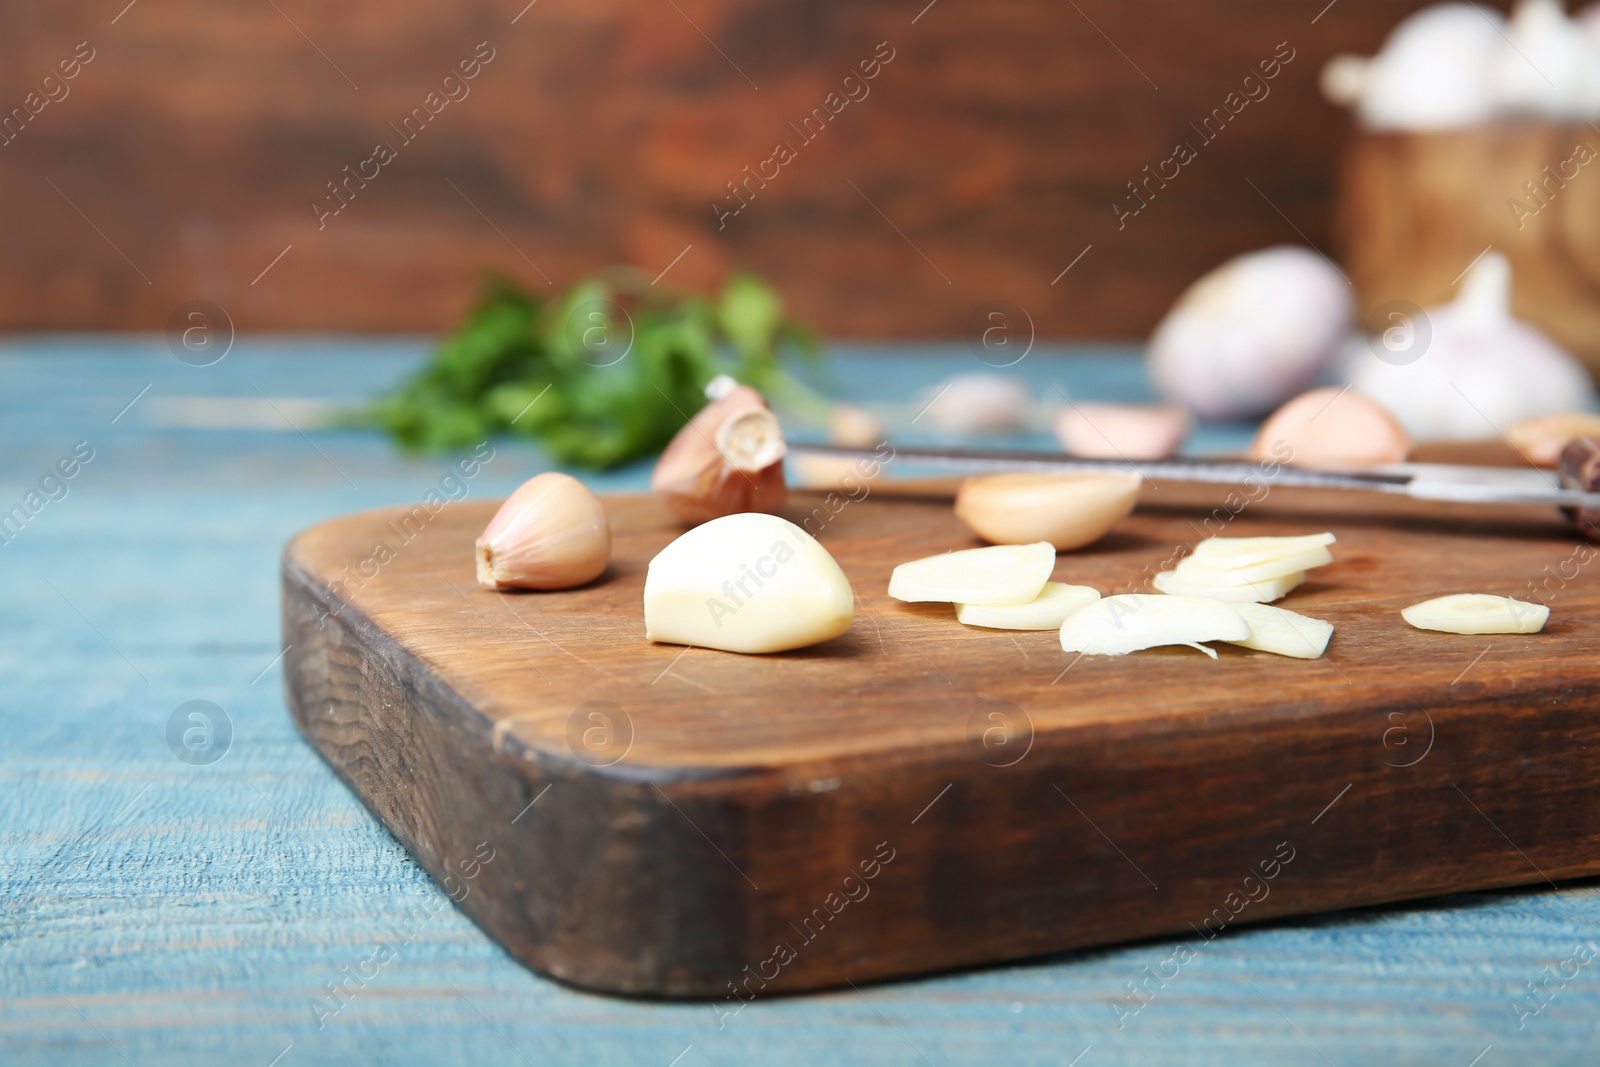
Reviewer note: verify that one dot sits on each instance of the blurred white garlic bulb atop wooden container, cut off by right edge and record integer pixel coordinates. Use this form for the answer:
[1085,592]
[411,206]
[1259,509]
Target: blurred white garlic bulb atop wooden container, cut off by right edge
[1550,66]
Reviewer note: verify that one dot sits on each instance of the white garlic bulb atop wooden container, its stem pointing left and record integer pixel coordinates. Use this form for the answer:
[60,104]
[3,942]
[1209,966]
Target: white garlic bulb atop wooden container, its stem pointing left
[1434,71]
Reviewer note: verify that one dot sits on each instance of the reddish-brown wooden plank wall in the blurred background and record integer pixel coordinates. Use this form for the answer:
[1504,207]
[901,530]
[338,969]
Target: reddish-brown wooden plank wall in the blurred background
[986,156]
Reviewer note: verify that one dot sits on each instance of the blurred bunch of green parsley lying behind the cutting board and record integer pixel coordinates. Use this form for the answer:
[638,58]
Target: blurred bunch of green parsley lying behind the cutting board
[602,375]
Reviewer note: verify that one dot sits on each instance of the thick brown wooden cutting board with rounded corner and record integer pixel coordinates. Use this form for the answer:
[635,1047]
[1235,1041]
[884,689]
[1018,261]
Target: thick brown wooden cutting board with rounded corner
[918,796]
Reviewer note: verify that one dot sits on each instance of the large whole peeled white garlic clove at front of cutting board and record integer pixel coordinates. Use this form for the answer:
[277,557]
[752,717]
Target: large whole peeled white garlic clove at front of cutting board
[746,583]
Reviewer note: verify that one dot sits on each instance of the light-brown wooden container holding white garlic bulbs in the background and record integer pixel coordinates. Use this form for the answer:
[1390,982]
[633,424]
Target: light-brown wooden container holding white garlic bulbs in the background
[1415,209]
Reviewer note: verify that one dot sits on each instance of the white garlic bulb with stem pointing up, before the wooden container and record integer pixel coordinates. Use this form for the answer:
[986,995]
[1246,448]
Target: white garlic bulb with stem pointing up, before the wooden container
[1481,372]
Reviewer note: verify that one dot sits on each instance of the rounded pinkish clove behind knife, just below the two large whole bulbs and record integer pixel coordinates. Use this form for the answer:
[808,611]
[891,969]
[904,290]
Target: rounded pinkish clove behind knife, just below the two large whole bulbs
[1330,428]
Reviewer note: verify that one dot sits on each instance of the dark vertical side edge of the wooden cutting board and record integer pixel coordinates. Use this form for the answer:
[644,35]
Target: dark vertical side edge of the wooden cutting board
[687,887]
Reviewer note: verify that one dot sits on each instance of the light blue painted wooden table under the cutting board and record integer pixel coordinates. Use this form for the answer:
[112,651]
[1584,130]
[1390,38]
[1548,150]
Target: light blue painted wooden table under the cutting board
[158,911]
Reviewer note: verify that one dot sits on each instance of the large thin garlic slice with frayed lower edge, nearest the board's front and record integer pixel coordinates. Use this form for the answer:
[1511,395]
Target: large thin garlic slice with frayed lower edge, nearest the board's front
[1129,623]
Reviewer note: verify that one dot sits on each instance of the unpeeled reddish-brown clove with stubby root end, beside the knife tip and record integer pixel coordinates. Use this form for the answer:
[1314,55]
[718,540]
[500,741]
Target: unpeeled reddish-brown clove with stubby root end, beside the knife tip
[729,460]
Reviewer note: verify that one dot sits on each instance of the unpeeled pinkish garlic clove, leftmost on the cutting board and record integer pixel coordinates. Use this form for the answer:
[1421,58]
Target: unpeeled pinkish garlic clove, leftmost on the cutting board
[551,533]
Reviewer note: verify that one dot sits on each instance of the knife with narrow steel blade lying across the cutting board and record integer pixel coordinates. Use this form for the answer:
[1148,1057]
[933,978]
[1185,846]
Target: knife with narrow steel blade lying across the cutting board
[1420,481]
